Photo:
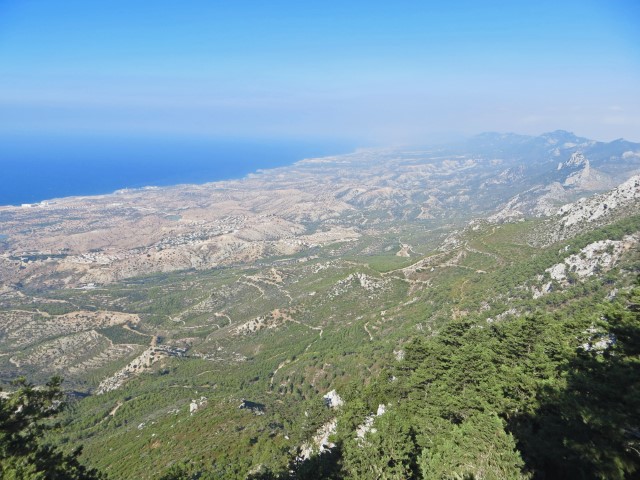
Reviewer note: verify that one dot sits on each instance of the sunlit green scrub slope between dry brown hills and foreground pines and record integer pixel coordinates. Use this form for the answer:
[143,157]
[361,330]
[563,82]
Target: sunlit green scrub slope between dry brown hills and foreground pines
[341,325]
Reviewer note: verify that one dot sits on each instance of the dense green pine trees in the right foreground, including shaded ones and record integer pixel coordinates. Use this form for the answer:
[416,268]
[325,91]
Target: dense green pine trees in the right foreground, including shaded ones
[533,397]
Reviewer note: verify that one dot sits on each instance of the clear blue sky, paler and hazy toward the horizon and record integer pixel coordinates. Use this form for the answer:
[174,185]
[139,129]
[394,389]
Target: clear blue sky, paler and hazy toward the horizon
[372,72]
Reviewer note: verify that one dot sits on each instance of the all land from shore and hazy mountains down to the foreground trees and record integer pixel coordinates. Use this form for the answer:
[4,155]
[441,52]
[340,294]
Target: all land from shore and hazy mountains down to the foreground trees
[167,308]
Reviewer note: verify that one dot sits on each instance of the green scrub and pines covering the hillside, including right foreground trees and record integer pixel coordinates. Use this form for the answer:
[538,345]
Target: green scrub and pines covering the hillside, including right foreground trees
[479,379]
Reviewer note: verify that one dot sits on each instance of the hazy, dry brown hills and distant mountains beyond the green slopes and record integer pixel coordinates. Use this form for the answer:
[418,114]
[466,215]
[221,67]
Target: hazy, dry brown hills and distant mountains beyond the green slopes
[289,210]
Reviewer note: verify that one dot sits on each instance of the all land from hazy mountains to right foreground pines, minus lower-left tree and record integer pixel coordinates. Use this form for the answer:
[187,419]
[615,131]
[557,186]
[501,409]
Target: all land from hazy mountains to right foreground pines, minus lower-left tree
[462,310]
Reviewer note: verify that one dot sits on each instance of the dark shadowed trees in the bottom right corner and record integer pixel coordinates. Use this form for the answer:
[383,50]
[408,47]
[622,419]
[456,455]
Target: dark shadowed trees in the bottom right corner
[591,428]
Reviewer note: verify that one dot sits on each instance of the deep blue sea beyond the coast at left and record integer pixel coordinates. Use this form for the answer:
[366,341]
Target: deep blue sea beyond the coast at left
[33,169]
